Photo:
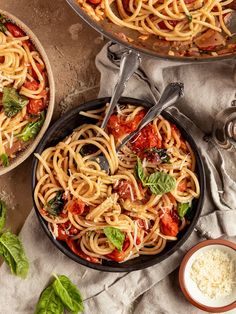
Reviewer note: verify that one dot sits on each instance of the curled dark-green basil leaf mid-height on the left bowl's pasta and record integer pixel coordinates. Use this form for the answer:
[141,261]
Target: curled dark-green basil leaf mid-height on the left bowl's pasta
[12,101]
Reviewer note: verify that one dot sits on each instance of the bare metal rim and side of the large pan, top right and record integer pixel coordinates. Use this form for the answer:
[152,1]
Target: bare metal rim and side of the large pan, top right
[148,47]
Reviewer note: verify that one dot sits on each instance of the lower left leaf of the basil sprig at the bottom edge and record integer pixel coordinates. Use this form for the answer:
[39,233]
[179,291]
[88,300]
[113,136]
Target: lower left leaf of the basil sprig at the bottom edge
[49,302]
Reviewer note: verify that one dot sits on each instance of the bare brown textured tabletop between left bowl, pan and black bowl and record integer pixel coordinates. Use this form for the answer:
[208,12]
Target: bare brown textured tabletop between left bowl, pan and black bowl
[71,46]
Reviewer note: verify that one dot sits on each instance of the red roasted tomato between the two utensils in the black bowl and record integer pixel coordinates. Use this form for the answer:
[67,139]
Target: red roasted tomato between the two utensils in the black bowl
[118,127]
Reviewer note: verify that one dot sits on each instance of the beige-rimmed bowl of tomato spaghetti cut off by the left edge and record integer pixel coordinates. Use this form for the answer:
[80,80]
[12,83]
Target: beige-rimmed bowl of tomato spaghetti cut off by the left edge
[26,92]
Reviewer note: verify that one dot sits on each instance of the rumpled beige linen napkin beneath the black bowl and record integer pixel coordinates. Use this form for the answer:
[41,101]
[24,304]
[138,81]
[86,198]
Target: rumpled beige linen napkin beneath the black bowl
[208,88]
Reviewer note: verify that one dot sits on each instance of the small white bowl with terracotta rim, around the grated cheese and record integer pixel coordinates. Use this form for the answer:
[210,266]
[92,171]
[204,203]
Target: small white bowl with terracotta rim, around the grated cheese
[189,287]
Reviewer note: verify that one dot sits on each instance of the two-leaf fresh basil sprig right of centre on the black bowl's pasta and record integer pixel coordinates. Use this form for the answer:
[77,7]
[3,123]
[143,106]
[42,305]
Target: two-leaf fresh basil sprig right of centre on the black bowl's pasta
[158,182]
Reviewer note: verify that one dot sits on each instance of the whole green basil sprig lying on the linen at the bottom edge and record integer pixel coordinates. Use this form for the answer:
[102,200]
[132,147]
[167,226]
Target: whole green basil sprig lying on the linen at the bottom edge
[59,295]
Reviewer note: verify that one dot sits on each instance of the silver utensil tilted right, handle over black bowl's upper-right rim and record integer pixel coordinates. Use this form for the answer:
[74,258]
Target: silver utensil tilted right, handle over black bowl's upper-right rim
[170,95]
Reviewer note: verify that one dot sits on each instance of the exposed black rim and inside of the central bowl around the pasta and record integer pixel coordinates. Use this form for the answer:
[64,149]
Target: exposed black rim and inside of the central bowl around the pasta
[64,127]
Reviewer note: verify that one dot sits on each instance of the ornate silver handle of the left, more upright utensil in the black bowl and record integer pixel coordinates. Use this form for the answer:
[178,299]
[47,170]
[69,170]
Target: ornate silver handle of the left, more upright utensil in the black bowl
[129,63]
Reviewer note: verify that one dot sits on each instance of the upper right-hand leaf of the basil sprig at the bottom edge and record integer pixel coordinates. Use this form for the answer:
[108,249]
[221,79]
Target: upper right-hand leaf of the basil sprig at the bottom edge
[68,293]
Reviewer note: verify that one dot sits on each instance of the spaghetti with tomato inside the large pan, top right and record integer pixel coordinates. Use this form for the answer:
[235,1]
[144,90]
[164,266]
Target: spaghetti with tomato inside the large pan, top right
[198,24]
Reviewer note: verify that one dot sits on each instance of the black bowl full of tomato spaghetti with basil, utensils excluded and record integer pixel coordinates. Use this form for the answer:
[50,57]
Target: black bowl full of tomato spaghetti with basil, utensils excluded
[132,217]
